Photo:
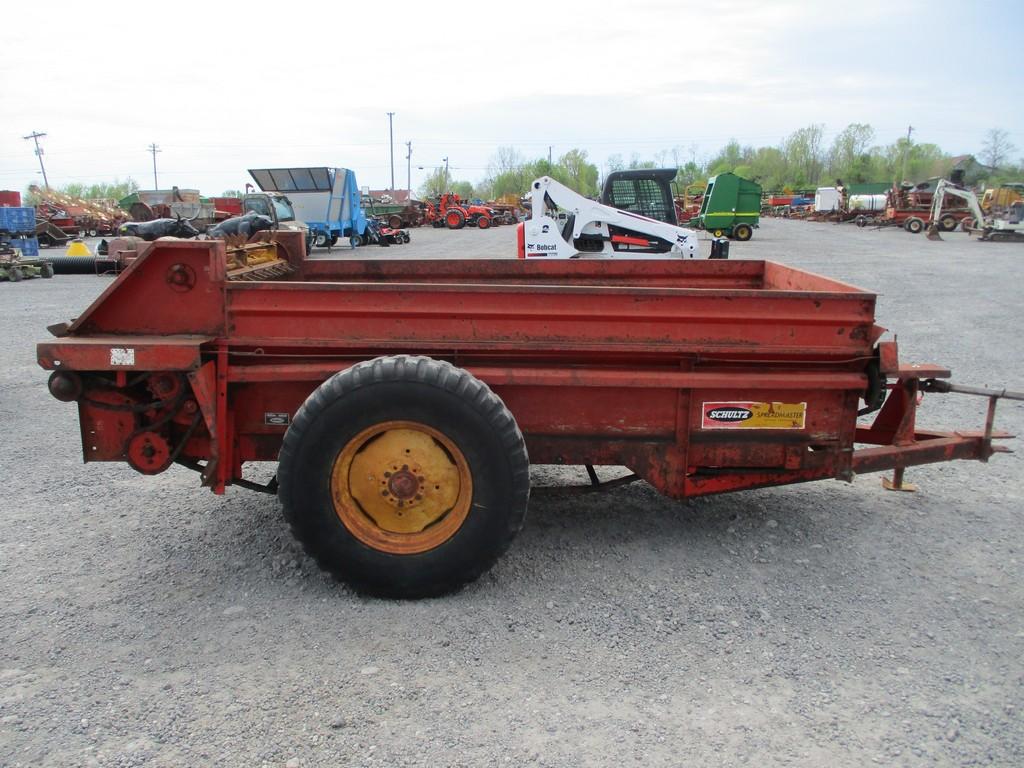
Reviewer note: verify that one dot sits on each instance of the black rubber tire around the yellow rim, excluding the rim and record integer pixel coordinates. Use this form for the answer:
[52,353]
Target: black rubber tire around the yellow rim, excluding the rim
[425,391]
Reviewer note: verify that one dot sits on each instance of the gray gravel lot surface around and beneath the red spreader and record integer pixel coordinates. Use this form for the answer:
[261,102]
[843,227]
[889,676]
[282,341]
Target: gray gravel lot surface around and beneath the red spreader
[147,622]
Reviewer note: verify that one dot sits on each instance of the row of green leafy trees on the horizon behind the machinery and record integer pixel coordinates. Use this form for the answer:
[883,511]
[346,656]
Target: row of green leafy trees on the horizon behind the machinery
[803,160]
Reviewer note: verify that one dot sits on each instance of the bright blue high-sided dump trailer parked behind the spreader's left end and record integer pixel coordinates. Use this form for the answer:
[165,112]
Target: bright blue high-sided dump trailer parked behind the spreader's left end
[327,200]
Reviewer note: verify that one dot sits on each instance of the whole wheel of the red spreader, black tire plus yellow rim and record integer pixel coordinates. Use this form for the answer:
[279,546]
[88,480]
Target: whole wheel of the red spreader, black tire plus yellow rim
[405,477]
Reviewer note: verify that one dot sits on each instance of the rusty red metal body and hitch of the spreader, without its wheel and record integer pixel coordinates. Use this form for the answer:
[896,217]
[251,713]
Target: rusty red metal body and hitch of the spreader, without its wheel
[601,363]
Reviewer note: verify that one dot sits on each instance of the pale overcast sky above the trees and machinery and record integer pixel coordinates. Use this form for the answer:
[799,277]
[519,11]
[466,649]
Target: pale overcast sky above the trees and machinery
[224,88]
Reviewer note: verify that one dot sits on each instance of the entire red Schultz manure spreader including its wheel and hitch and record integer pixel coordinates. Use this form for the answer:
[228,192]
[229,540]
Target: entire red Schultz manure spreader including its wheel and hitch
[405,401]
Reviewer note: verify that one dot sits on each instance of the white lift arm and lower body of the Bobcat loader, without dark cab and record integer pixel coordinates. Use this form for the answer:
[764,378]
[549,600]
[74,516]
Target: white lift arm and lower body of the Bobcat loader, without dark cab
[591,230]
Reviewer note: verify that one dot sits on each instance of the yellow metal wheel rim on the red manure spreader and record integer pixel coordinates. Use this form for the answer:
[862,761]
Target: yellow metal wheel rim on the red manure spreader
[402,488]
